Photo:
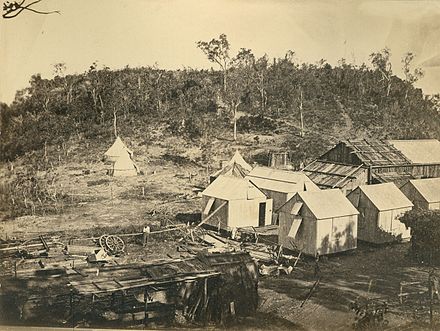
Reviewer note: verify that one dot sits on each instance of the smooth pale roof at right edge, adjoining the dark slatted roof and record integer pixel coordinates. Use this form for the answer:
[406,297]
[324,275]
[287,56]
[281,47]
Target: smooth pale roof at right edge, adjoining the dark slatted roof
[419,150]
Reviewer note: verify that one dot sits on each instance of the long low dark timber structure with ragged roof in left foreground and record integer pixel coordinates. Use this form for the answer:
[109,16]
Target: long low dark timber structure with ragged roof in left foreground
[207,288]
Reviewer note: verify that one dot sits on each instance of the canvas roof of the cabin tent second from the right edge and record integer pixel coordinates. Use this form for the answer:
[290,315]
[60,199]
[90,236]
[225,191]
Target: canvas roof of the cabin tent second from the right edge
[386,196]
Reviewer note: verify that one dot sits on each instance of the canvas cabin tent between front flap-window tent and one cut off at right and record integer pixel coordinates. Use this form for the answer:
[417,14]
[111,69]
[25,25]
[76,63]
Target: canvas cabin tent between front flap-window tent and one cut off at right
[380,207]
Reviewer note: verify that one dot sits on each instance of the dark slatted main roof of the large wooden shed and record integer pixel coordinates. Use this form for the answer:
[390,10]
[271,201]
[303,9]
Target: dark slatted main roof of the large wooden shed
[376,152]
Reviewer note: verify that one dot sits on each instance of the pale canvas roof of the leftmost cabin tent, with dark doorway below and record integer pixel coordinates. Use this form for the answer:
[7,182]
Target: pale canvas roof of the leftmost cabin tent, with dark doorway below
[233,188]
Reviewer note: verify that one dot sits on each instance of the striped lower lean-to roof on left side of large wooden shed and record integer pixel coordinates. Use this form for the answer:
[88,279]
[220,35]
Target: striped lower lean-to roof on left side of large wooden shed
[333,175]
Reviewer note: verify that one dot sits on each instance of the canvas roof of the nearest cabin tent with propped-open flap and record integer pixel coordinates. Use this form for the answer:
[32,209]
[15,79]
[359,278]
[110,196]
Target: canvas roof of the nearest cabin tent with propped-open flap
[328,203]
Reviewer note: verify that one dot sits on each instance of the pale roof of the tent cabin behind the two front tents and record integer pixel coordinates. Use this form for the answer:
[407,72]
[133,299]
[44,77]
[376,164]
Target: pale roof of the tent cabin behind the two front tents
[281,180]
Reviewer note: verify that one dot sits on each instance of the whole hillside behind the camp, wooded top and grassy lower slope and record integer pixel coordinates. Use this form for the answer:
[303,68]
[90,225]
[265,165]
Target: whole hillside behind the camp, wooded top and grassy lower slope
[181,122]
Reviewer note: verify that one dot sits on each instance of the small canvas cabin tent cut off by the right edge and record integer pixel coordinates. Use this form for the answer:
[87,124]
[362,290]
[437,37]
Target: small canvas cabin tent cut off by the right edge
[424,193]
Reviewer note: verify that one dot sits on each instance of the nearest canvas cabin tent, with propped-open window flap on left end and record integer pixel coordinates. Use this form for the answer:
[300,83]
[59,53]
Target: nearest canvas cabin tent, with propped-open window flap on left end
[322,222]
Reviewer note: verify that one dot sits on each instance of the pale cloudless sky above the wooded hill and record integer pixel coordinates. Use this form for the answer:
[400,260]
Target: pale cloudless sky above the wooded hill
[117,33]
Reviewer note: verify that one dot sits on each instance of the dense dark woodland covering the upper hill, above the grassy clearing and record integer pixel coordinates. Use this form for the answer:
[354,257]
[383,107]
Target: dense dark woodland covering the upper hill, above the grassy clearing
[309,105]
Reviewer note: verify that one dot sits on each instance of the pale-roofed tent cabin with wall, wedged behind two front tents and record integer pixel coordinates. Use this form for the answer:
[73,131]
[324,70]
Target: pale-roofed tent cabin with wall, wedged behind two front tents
[280,185]
